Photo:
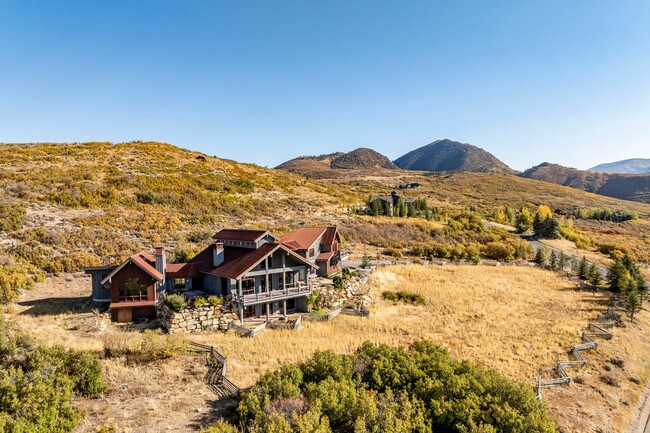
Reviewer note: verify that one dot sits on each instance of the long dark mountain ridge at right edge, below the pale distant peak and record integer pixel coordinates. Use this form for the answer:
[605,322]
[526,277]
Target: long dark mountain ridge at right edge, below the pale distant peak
[624,186]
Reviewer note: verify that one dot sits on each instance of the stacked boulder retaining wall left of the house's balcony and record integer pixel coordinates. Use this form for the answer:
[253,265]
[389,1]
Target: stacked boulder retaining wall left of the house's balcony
[194,319]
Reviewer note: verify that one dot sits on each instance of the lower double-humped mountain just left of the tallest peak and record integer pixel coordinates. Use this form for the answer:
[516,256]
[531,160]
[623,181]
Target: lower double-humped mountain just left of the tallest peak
[328,165]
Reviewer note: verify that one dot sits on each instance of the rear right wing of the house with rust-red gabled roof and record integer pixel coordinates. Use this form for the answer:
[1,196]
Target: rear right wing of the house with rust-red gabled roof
[319,245]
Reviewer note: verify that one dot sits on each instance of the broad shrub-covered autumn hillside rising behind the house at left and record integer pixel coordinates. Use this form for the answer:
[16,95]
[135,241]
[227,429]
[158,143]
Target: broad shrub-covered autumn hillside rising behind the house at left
[108,200]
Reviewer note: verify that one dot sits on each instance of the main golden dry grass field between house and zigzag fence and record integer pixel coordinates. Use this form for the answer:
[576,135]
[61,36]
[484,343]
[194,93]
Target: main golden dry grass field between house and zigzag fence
[517,320]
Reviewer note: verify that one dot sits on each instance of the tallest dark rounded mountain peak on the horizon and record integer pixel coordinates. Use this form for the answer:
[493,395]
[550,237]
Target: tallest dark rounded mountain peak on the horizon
[446,155]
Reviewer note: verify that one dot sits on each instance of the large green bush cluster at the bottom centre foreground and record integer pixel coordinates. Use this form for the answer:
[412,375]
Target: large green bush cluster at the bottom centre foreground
[384,389]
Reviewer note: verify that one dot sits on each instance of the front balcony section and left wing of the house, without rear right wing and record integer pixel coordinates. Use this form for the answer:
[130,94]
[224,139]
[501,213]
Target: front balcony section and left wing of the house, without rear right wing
[261,275]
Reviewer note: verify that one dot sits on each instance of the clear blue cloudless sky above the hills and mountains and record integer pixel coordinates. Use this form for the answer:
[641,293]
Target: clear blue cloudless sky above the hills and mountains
[264,81]
